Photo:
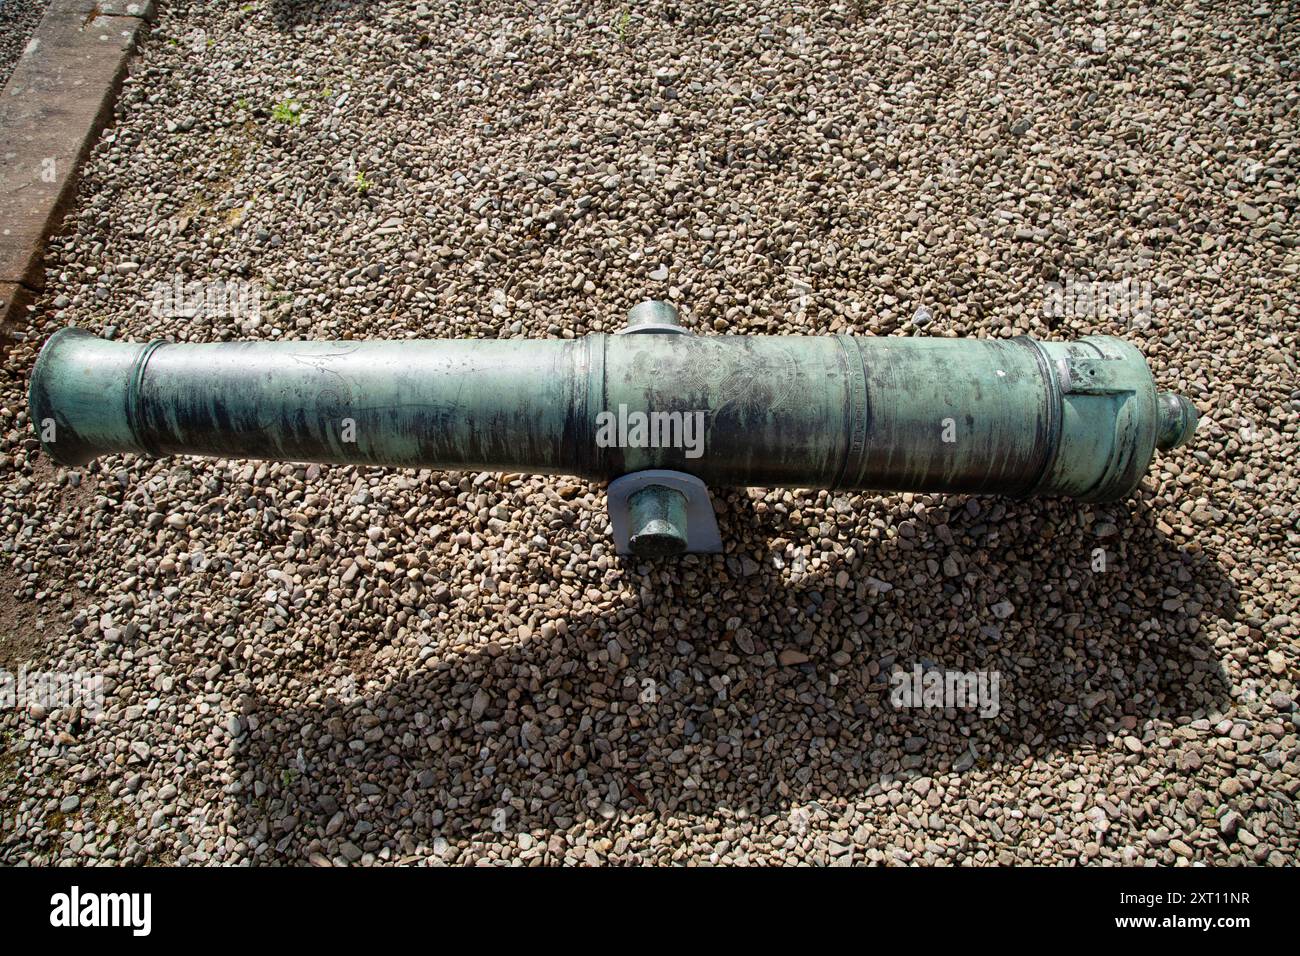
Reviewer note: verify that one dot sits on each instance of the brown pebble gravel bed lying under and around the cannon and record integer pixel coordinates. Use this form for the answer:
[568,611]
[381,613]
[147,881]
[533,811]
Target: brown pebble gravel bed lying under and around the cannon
[358,665]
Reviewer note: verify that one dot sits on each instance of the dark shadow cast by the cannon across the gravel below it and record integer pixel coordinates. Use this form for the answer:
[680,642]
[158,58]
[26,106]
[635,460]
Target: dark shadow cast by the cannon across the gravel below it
[562,734]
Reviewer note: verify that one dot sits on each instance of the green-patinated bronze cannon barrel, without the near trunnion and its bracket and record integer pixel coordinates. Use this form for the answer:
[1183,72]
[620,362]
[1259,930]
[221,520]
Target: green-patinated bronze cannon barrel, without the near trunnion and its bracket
[1009,417]
